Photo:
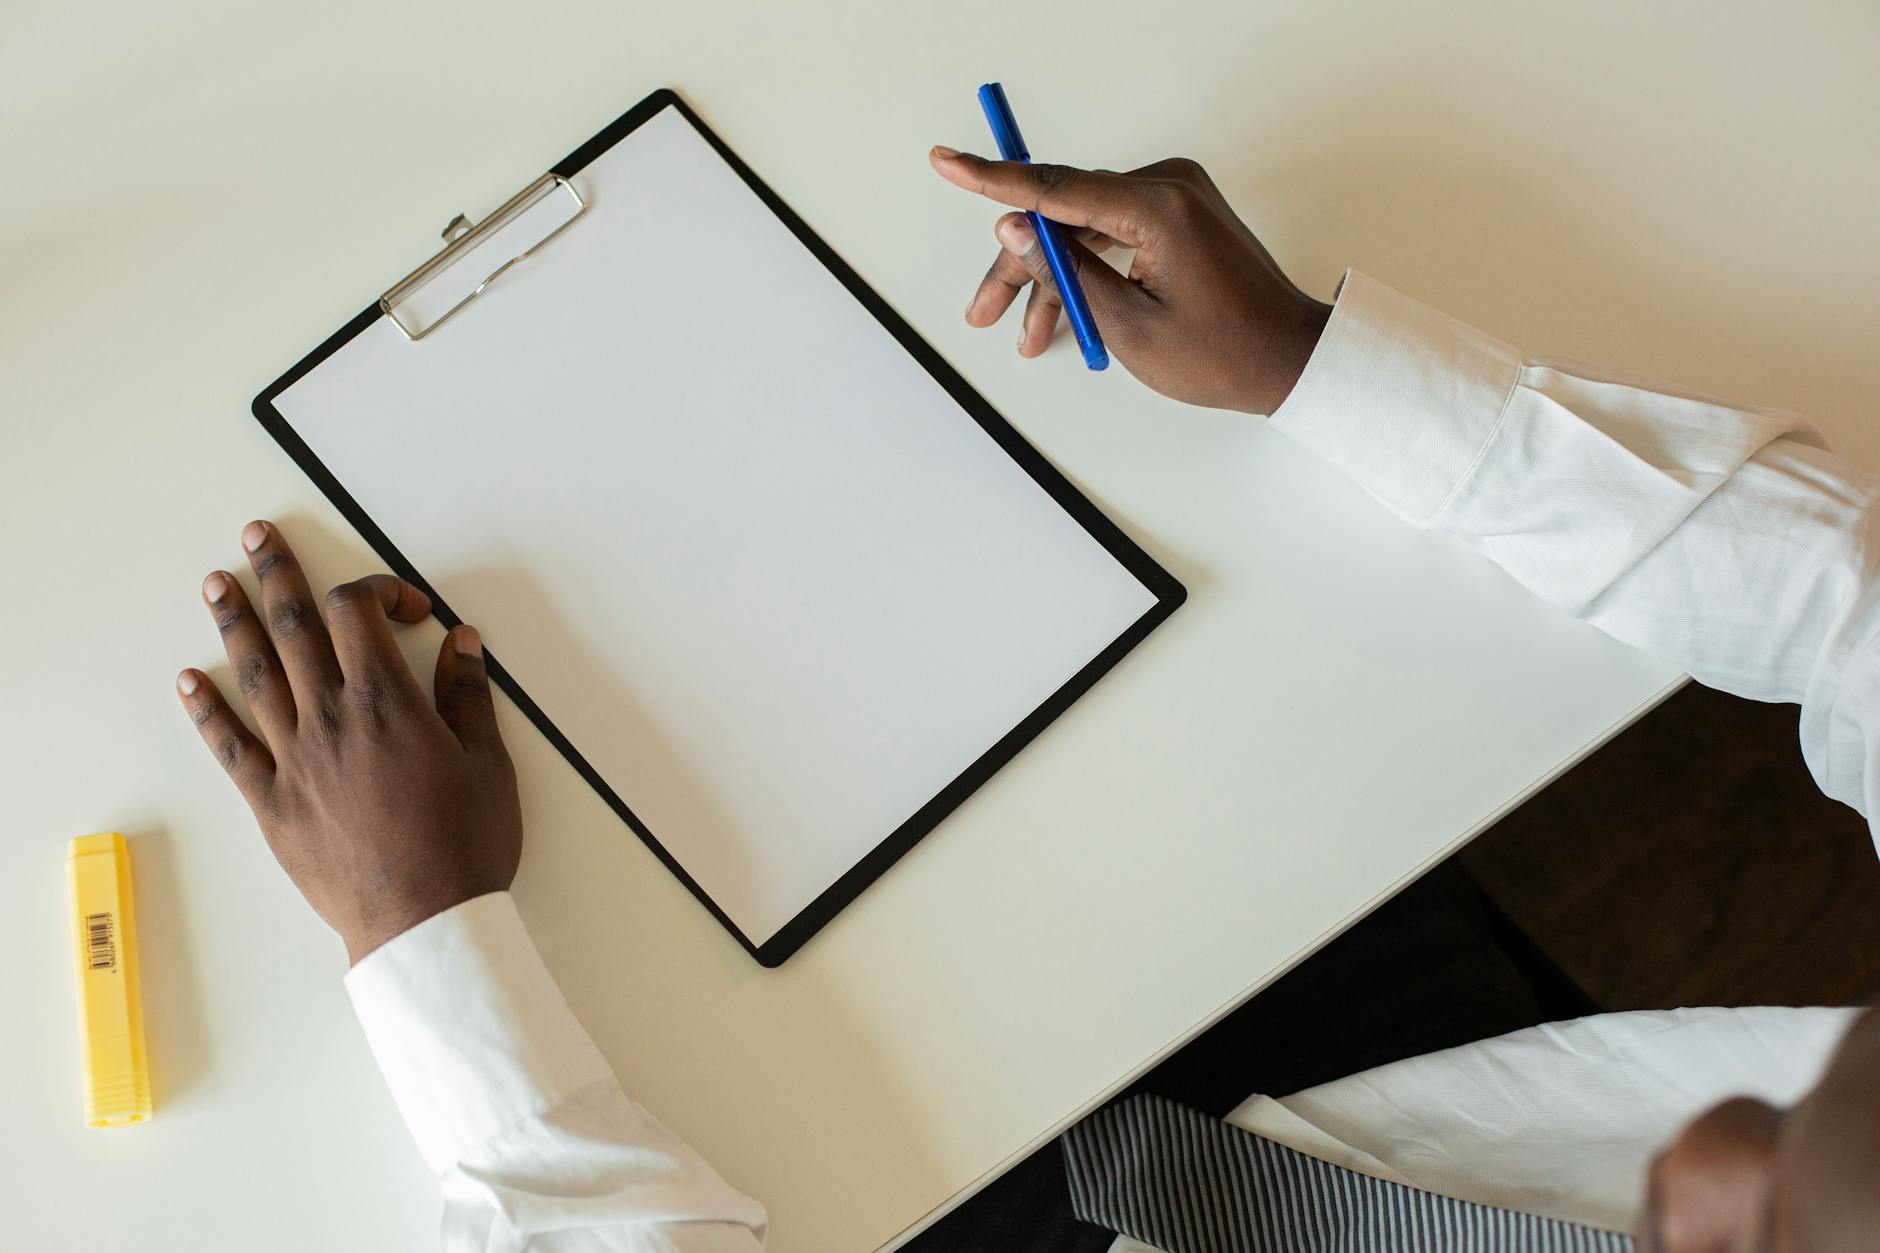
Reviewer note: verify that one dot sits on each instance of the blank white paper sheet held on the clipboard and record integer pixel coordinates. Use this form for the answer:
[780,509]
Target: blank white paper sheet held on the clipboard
[774,584]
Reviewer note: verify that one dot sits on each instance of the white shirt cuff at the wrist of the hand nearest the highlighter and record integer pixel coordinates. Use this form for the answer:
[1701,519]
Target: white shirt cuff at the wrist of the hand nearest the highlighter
[469,1028]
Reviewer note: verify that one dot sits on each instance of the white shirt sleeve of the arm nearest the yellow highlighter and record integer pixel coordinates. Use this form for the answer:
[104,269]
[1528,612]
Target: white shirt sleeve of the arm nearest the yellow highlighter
[518,1113]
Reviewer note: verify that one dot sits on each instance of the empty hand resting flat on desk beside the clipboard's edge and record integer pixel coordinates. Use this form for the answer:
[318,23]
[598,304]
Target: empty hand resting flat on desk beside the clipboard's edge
[383,806]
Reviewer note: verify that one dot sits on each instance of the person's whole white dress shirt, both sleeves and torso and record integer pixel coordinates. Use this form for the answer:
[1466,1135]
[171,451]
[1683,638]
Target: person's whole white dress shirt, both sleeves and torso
[1719,537]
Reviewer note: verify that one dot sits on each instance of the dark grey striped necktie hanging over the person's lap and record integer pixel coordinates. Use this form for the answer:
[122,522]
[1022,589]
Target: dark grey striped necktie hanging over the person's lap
[1193,1184]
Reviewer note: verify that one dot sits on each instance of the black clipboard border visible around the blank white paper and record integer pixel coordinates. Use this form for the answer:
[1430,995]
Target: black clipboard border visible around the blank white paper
[1163,586]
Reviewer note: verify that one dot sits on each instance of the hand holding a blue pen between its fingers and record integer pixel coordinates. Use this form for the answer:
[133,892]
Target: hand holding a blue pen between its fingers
[1204,315]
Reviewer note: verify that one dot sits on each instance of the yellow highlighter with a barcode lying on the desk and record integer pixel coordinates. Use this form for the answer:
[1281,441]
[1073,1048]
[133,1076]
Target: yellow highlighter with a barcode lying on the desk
[117,1079]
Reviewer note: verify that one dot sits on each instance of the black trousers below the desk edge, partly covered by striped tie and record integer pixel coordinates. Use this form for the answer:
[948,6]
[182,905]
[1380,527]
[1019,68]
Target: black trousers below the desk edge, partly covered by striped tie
[1433,968]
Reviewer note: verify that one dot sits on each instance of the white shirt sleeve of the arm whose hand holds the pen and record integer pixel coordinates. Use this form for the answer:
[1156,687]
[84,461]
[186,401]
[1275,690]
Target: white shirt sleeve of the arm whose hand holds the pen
[1719,537]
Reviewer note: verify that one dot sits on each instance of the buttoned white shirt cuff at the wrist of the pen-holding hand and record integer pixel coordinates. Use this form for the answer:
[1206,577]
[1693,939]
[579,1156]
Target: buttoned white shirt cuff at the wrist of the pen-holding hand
[1400,396]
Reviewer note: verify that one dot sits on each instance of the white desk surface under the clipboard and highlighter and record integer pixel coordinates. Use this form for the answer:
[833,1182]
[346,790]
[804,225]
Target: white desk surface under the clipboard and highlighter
[198,193]
